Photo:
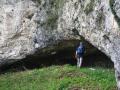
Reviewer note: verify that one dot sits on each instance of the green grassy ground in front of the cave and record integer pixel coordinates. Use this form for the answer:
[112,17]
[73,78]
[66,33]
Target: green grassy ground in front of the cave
[59,78]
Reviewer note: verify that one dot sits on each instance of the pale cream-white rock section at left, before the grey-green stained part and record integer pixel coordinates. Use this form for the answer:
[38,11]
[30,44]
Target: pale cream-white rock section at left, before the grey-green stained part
[17,29]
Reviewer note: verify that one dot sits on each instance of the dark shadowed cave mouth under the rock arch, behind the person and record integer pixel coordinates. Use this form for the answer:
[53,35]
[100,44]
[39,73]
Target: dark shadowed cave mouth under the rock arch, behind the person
[60,54]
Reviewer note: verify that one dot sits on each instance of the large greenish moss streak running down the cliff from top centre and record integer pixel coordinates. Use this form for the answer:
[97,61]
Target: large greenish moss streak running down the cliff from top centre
[53,12]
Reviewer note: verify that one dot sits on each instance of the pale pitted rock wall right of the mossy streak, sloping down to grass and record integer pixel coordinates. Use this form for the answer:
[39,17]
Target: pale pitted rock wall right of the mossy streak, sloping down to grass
[98,22]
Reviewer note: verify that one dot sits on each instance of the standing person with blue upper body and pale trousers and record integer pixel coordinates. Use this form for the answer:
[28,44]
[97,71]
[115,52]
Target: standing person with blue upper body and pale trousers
[79,54]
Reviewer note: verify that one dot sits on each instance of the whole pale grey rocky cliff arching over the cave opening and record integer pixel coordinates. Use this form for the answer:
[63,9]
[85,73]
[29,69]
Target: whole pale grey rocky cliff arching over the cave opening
[29,25]
